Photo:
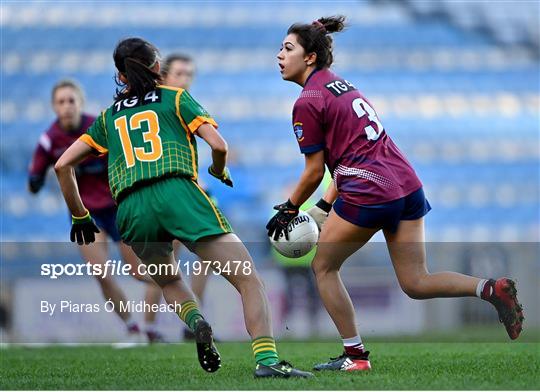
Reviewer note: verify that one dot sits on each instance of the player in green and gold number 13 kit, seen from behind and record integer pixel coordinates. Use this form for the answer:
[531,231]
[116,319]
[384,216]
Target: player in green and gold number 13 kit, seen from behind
[149,135]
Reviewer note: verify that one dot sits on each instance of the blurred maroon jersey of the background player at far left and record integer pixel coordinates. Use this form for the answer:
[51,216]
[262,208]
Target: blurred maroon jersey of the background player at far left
[91,174]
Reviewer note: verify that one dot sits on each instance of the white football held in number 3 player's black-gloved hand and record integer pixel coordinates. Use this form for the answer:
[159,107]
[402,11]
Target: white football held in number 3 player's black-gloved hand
[303,236]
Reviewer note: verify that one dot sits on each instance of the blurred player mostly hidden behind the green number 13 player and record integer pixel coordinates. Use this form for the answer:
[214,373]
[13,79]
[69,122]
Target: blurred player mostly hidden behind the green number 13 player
[178,70]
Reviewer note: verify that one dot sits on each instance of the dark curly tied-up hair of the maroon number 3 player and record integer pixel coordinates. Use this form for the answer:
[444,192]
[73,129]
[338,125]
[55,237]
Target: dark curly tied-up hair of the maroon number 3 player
[315,38]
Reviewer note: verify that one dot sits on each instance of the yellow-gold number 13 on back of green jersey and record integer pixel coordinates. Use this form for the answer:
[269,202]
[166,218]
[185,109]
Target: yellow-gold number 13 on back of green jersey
[151,136]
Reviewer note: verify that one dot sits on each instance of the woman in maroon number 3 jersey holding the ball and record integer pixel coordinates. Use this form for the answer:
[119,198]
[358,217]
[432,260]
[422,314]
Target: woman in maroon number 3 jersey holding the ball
[375,188]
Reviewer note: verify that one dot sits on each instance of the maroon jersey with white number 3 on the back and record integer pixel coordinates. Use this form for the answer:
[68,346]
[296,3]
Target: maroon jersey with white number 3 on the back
[366,165]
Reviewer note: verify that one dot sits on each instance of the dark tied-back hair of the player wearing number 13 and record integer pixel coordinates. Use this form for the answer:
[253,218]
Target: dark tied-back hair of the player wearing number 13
[134,58]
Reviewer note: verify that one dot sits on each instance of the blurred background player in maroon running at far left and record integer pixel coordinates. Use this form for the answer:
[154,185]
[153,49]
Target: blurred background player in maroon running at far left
[71,123]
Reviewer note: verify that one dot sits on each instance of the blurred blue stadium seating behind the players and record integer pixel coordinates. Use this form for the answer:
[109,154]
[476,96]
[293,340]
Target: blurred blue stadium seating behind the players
[449,160]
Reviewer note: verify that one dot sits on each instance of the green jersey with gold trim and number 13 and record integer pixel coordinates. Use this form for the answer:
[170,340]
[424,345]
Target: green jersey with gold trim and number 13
[148,138]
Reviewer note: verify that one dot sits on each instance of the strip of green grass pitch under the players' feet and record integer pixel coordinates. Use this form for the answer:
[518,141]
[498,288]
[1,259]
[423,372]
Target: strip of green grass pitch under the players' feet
[175,366]
